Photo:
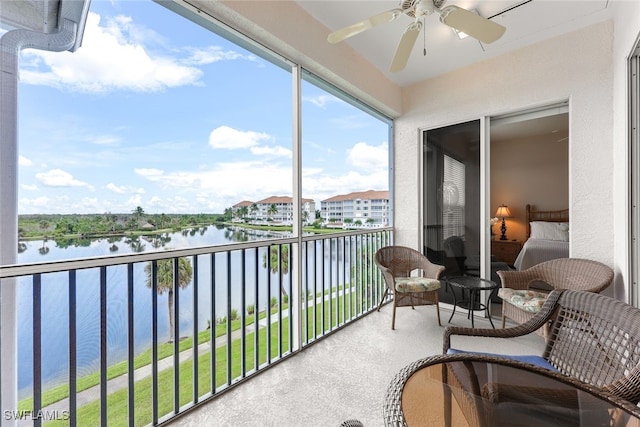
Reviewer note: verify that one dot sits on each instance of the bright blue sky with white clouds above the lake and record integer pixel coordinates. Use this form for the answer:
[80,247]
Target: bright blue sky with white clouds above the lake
[157,112]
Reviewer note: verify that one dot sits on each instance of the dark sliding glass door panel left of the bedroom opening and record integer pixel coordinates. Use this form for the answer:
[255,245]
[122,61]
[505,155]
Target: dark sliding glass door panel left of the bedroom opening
[452,194]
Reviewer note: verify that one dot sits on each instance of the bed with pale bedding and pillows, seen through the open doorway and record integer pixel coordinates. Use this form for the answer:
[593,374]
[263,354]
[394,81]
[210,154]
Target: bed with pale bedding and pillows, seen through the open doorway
[547,237]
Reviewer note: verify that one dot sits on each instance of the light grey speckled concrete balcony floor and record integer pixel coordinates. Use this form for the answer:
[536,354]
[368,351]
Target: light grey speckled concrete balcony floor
[345,376]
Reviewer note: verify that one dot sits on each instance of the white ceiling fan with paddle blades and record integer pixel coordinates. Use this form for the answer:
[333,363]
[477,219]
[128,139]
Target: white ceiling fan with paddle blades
[456,17]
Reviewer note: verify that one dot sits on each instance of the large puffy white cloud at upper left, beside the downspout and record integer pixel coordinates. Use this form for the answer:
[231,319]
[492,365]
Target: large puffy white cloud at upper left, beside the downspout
[111,57]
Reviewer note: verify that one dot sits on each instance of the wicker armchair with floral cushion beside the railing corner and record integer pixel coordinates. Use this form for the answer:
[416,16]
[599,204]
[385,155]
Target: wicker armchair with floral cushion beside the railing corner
[396,264]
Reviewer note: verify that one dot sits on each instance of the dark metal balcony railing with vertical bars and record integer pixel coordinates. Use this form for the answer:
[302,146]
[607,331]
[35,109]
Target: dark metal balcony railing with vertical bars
[98,348]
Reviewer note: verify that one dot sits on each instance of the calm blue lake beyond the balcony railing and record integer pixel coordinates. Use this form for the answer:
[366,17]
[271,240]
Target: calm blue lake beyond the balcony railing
[55,294]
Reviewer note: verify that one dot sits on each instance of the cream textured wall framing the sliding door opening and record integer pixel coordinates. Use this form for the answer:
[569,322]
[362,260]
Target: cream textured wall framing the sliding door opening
[577,67]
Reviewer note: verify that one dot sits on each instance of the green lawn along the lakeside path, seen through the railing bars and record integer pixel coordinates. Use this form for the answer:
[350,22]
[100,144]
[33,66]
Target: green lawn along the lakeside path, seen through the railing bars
[117,402]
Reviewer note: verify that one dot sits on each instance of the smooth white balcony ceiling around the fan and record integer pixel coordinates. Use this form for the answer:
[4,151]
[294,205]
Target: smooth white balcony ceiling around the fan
[529,22]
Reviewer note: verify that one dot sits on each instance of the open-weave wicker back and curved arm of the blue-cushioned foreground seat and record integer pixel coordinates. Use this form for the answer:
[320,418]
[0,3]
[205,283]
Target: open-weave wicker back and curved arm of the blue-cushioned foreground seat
[593,339]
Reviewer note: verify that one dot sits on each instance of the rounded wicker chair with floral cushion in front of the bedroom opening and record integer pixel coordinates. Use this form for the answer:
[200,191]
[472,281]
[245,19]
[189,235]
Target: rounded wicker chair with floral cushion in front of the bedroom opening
[564,273]
